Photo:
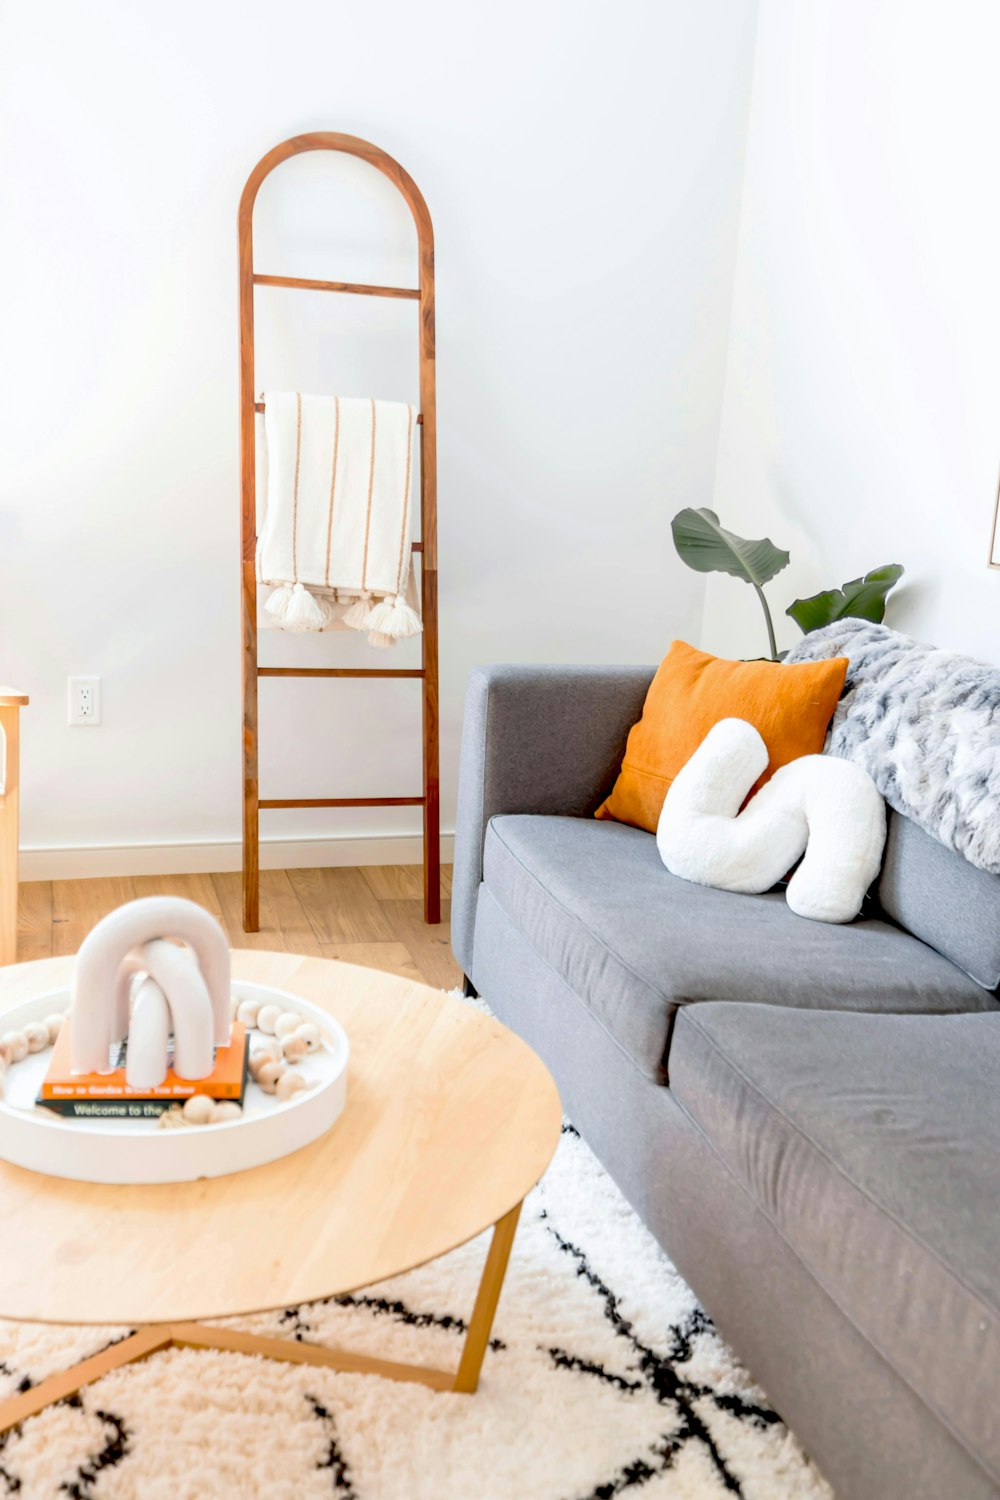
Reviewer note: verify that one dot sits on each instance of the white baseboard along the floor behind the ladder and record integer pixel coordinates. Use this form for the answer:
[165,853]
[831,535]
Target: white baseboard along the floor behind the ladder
[91,862]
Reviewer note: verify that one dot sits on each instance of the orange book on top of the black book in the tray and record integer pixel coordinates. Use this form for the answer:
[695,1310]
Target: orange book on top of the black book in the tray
[64,1090]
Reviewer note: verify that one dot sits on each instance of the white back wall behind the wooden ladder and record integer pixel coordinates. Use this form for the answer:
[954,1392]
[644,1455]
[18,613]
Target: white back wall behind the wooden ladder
[582,164]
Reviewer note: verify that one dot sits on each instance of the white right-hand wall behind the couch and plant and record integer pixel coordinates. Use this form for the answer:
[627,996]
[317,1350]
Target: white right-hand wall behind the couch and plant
[863,394]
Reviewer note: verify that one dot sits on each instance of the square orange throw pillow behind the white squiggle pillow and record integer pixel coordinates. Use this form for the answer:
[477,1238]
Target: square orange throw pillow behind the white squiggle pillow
[789,706]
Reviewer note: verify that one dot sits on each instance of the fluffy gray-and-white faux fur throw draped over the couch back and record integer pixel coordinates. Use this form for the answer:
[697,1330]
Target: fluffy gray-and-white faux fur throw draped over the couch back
[926,725]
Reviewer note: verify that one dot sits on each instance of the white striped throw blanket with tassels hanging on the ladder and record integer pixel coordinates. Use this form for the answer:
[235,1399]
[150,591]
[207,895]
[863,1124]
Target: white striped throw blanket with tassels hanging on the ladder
[335,536]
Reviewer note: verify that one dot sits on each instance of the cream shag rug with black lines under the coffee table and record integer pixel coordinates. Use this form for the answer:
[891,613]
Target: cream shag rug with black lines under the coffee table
[605,1379]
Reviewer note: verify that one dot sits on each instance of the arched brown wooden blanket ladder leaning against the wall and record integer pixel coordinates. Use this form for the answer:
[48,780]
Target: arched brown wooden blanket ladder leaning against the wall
[427,547]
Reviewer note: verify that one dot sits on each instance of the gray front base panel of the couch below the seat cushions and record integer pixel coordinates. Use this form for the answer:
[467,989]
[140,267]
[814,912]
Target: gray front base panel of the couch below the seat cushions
[863,1424]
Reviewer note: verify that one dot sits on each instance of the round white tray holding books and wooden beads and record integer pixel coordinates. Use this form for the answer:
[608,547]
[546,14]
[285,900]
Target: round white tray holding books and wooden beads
[137,1151]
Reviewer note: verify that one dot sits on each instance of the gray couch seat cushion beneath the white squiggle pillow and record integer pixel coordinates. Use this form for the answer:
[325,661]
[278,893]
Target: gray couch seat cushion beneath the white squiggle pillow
[636,943]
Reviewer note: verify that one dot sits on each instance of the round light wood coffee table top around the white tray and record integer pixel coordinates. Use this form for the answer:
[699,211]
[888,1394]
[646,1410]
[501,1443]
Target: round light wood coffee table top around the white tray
[451,1121]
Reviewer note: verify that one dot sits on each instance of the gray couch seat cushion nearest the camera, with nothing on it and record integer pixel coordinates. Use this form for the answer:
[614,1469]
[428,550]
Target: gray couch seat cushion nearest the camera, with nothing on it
[873,1147]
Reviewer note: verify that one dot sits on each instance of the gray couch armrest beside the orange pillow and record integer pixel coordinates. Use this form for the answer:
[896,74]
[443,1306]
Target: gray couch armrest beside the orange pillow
[536,740]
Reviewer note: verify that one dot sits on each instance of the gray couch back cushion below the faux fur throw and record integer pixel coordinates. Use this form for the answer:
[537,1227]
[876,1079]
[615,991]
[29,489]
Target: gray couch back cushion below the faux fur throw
[944,899]
